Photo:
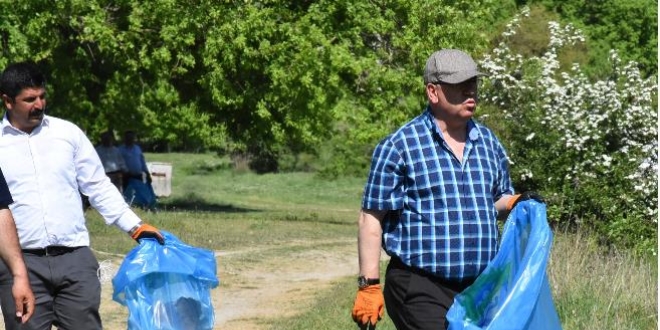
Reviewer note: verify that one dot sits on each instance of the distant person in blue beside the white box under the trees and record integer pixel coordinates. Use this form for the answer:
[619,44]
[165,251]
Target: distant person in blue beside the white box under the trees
[137,182]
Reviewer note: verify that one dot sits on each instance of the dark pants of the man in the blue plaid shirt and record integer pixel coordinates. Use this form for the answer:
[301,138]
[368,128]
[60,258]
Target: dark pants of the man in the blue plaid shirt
[415,300]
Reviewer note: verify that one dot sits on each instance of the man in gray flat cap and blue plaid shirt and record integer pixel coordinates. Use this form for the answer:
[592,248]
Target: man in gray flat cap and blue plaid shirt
[432,199]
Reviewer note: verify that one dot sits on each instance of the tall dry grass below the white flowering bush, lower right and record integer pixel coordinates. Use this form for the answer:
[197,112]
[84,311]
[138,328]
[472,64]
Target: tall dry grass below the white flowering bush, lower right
[593,290]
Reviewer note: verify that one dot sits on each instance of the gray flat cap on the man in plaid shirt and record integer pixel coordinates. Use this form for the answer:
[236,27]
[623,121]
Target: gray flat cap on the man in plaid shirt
[450,66]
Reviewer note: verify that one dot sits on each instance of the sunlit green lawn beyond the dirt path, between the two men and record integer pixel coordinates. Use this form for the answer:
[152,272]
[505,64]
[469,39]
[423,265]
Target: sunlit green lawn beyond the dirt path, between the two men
[222,210]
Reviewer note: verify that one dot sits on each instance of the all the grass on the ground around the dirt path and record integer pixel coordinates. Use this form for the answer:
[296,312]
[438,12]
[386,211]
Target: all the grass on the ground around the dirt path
[214,207]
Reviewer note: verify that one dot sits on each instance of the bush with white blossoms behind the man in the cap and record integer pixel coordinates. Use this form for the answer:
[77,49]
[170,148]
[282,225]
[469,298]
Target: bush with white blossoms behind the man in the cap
[589,145]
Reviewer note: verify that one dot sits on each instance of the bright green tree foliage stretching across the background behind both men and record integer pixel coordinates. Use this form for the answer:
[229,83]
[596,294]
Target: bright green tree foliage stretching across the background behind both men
[258,79]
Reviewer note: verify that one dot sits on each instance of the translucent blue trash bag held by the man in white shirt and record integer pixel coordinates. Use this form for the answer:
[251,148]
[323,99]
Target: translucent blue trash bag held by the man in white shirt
[167,287]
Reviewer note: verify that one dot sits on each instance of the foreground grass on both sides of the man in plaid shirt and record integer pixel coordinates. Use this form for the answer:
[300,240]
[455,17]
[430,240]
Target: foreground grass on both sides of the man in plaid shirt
[590,291]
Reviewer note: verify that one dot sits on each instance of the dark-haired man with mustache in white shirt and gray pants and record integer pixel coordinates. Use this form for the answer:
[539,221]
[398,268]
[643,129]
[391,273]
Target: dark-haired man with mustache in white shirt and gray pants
[48,162]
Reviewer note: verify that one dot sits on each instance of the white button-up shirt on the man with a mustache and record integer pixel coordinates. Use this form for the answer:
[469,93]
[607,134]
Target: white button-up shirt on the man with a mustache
[45,171]
